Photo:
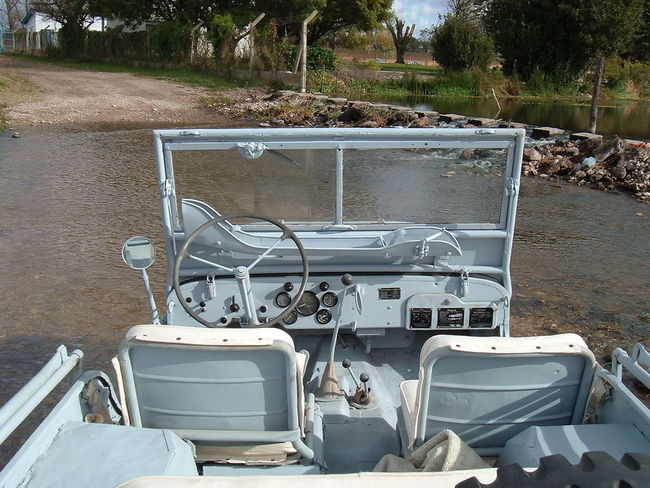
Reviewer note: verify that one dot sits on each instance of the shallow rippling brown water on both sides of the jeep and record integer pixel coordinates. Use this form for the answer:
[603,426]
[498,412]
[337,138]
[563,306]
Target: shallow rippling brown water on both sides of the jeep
[70,198]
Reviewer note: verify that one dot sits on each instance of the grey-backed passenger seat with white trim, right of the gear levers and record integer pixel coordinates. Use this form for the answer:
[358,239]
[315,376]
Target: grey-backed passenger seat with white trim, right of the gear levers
[488,389]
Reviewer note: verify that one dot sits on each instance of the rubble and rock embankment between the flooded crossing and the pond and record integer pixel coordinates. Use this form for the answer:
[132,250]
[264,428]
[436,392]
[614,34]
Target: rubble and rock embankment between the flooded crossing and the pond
[583,159]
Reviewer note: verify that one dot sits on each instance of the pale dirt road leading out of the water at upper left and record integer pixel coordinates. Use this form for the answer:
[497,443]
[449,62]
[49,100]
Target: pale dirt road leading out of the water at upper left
[71,96]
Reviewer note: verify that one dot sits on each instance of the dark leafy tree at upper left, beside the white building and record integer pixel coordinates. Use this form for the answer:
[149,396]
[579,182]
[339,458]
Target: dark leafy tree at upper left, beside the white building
[74,17]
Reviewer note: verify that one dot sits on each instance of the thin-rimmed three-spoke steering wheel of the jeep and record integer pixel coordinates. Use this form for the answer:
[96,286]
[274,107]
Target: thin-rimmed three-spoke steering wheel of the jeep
[241,273]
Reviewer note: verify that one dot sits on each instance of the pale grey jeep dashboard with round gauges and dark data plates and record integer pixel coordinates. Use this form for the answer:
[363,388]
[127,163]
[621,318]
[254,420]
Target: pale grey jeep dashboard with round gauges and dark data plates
[365,303]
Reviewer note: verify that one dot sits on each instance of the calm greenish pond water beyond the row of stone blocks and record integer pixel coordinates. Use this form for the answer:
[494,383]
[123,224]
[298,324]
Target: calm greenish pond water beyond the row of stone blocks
[629,119]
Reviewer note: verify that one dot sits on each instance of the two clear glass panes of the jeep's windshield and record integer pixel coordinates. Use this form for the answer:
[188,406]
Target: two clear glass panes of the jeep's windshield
[380,186]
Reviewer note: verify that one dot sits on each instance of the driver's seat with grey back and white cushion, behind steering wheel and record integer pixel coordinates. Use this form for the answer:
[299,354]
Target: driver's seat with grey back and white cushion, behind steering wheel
[237,394]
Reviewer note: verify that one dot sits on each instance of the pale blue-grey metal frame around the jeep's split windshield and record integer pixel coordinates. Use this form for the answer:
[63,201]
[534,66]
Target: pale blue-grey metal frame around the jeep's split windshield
[340,140]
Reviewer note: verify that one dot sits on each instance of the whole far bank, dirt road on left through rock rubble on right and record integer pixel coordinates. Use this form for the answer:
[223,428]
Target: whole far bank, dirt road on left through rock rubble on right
[38,93]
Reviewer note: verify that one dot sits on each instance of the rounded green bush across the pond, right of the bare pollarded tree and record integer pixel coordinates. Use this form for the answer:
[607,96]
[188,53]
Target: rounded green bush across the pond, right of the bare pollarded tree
[459,44]
